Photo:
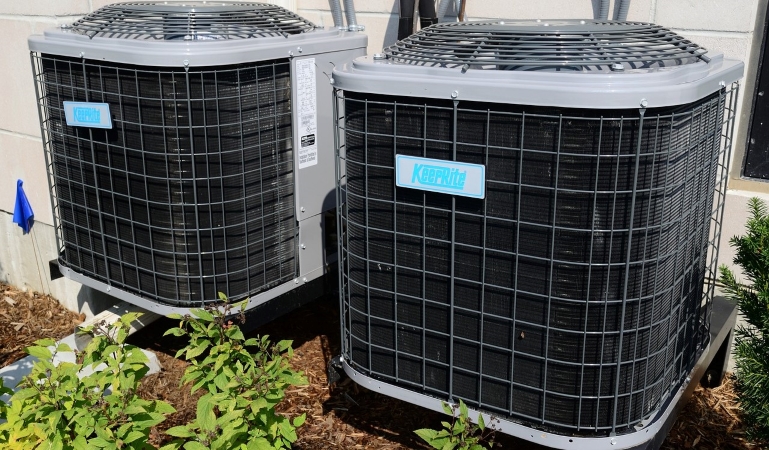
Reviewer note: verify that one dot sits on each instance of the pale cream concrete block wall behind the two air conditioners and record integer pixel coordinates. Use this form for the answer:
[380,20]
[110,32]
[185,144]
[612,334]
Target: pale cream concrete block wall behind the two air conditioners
[721,26]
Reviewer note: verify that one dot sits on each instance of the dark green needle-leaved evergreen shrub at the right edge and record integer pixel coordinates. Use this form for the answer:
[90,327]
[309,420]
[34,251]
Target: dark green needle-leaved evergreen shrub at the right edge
[751,344]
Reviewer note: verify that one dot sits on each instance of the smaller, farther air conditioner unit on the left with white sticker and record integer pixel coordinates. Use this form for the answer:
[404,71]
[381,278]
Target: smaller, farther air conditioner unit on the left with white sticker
[189,148]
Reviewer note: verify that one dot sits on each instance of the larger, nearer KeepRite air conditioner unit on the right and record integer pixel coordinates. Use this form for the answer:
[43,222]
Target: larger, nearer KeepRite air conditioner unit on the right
[529,212]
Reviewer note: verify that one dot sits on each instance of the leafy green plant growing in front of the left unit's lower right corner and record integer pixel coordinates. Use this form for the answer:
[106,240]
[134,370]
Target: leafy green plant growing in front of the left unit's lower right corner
[243,380]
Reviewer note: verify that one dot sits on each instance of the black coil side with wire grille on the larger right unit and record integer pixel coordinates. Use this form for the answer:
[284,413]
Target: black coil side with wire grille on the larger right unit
[571,297]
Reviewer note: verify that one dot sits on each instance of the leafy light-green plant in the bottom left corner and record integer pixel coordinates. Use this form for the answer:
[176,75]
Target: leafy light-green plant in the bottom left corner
[87,404]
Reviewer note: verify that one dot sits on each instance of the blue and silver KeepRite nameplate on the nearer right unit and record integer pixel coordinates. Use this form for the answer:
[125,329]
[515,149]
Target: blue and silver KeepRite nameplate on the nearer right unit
[437,175]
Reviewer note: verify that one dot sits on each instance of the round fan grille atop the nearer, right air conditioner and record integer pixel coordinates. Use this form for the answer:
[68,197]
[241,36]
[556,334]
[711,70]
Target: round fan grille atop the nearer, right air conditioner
[576,45]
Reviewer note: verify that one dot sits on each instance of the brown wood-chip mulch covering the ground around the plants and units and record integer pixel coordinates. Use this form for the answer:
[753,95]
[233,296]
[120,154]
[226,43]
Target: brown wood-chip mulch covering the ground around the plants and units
[344,416]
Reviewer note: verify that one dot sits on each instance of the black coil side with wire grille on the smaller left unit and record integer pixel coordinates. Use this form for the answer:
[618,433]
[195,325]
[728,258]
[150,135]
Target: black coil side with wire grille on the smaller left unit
[192,190]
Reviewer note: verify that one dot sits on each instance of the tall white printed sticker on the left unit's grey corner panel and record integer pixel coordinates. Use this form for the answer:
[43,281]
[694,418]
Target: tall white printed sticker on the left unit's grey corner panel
[306,99]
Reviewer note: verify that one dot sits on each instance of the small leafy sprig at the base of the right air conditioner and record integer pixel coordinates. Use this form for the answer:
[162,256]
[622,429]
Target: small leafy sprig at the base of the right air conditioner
[460,433]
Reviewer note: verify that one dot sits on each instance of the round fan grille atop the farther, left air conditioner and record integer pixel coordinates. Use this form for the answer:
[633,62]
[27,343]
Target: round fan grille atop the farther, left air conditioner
[191,21]
